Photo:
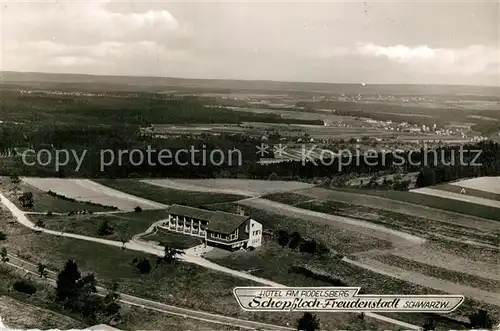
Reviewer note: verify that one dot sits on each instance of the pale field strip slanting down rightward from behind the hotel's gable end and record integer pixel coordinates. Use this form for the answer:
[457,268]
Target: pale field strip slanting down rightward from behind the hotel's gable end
[396,237]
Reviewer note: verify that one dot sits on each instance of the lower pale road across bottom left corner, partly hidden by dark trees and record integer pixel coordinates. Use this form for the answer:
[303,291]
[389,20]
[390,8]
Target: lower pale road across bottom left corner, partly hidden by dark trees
[30,268]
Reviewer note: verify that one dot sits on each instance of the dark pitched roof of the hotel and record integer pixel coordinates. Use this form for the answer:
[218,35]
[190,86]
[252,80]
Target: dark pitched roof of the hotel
[218,221]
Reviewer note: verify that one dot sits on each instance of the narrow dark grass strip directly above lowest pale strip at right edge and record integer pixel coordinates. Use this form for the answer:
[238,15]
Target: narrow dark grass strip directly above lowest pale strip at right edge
[442,273]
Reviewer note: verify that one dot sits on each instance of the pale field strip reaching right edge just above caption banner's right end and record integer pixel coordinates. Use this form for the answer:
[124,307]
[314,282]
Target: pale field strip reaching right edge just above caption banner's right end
[427,281]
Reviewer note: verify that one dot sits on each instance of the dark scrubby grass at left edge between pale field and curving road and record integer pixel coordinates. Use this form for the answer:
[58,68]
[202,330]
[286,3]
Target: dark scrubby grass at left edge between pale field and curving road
[44,202]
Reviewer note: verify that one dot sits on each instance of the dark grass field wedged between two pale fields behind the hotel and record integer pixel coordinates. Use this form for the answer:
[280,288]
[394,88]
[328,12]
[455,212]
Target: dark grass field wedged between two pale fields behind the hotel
[165,195]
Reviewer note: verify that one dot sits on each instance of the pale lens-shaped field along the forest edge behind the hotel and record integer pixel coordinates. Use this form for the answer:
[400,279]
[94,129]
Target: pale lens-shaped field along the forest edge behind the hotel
[244,187]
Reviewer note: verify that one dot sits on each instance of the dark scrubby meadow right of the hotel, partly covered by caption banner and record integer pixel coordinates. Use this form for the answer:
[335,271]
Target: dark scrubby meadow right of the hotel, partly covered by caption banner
[274,262]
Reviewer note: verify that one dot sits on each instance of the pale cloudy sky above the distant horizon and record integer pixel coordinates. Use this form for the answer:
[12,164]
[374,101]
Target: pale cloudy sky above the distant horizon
[426,42]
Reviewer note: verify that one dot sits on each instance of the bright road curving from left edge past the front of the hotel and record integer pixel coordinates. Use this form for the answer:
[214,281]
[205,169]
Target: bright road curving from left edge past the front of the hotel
[137,246]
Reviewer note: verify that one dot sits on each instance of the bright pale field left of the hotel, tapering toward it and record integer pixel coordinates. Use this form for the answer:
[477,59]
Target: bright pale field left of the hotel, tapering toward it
[87,190]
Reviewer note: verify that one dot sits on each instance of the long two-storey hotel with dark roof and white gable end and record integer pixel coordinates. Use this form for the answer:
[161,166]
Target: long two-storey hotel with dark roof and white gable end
[219,229]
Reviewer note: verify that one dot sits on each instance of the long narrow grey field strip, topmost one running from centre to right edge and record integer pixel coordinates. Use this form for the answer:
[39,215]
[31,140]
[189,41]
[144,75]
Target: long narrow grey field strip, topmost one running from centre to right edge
[402,207]
